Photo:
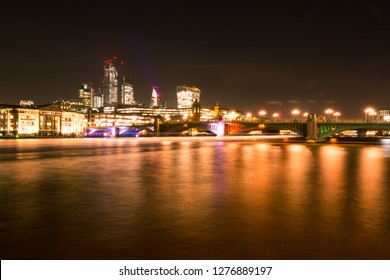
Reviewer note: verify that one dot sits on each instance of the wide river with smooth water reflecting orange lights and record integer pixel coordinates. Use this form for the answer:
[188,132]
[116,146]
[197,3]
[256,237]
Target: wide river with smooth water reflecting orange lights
[193,198]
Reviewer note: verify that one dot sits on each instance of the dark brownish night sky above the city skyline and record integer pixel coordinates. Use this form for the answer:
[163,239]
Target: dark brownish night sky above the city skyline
[245,55]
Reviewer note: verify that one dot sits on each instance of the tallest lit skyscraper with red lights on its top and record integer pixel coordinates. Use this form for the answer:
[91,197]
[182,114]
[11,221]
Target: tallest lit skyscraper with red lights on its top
[110,83]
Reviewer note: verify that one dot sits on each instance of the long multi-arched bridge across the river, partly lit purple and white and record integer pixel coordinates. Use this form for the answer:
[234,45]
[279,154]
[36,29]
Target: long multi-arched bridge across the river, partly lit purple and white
[310,129]
